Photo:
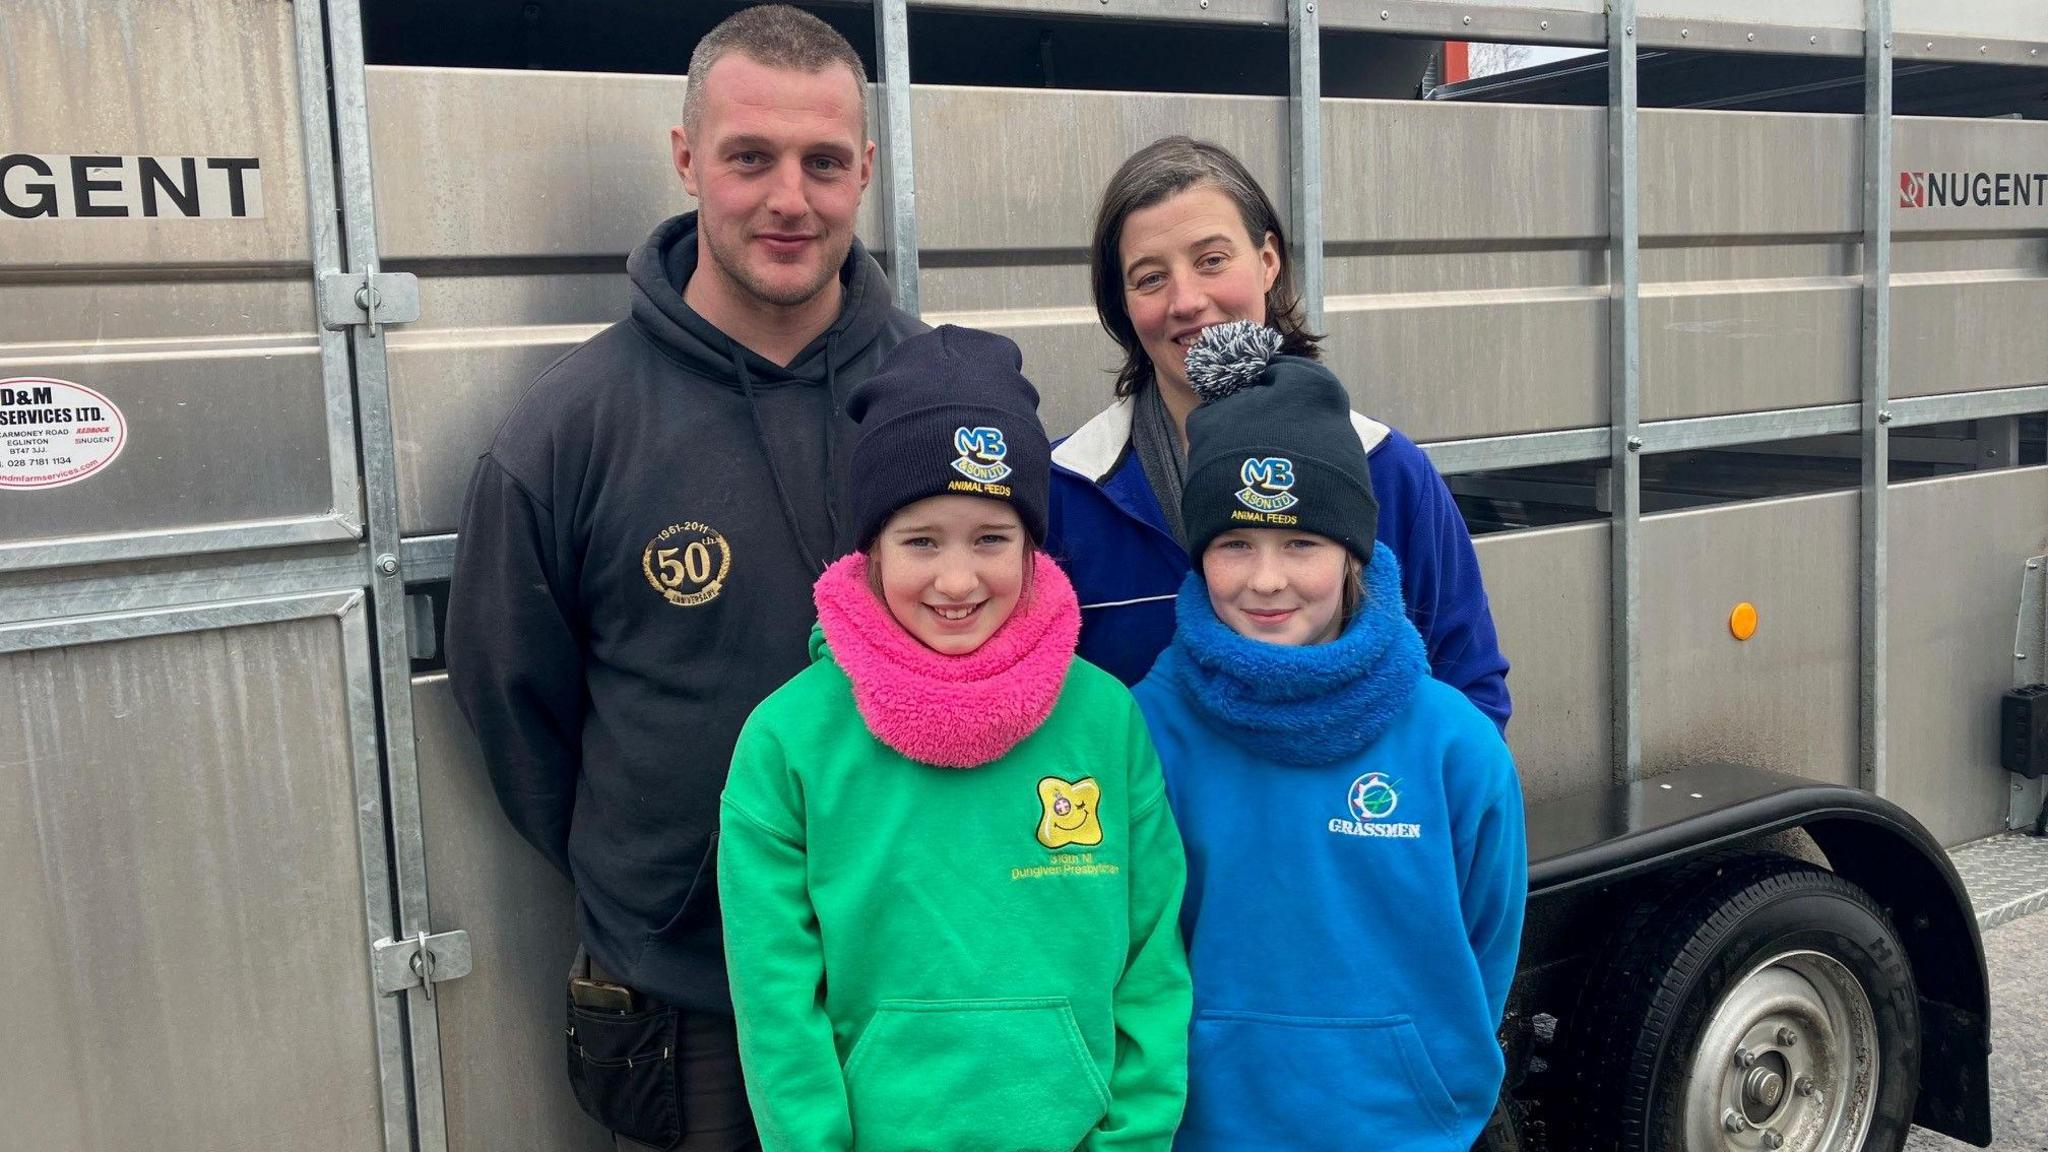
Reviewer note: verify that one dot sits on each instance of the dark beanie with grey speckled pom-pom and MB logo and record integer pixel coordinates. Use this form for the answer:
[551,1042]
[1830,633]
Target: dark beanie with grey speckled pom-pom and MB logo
[1273,446]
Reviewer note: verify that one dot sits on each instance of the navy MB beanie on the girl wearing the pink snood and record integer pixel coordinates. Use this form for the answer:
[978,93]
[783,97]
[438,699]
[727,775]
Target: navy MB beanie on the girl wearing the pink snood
[949,413]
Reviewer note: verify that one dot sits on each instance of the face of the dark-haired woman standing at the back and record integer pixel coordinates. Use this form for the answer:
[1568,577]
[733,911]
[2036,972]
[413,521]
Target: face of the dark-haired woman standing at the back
[1187,265]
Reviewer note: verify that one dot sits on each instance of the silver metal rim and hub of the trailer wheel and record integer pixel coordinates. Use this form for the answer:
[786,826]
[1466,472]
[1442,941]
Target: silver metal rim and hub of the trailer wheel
[1787,1063]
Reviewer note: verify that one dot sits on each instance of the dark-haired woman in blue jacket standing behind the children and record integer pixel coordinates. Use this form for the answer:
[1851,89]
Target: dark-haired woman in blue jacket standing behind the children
[1187,239]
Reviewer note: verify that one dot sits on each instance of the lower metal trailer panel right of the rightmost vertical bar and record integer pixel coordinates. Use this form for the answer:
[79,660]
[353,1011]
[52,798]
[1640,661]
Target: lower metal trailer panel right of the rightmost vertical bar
[1957,554]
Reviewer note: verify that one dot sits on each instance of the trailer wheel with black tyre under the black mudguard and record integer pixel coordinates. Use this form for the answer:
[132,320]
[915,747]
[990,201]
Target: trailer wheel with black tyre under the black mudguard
[1758,1003]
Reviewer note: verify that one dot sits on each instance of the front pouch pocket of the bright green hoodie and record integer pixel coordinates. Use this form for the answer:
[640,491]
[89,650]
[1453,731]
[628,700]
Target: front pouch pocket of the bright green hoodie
[959,1075]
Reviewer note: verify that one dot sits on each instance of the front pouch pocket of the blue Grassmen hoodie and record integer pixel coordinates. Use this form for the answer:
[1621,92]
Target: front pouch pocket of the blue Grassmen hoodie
[1271,1081]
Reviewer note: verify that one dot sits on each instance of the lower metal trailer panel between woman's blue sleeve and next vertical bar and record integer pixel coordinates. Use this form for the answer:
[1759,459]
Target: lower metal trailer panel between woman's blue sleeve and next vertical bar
[1549,593]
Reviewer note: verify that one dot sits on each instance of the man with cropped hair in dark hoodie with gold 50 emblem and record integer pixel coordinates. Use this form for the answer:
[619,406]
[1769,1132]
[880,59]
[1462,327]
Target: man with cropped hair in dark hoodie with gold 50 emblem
[638,552]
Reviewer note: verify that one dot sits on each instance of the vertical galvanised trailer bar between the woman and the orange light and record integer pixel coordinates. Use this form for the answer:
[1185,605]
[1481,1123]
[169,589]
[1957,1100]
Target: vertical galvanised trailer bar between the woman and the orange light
[1625,366]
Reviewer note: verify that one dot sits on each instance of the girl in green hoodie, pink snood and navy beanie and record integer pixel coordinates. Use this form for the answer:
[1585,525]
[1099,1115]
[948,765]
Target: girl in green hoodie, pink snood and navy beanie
[949,876]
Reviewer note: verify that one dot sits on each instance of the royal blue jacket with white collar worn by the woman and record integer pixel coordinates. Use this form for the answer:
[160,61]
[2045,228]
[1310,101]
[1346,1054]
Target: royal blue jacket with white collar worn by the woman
[1109,534]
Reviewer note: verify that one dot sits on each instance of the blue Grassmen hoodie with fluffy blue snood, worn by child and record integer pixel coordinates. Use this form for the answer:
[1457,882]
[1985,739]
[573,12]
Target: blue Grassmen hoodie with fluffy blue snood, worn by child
[1357,872]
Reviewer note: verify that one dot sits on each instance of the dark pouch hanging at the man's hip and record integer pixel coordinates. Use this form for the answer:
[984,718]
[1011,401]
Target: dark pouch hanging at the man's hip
[626,1069]
